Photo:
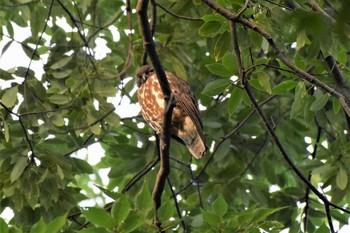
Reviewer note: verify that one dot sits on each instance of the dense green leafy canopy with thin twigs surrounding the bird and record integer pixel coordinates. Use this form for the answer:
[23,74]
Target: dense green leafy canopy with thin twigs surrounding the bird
[291,57]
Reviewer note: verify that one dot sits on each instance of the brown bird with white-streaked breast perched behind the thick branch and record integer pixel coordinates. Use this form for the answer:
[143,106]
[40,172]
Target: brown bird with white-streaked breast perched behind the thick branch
[186,123]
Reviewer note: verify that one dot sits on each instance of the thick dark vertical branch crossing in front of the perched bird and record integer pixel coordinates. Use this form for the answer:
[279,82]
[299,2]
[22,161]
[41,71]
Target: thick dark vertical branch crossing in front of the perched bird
[164,143]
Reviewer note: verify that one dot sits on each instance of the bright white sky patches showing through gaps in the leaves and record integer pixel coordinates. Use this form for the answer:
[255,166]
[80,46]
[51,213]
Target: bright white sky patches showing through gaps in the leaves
[15,56]
